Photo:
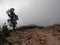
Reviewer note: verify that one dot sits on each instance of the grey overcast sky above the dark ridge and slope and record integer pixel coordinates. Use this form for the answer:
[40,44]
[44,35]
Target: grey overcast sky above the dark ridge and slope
[39,12]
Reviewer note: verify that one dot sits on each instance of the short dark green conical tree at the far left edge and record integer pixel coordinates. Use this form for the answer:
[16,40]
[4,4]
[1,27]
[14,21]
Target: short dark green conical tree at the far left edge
[4,34]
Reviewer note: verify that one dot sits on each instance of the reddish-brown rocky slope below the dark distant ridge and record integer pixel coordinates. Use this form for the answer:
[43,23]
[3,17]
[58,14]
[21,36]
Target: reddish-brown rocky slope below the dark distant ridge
[36,36]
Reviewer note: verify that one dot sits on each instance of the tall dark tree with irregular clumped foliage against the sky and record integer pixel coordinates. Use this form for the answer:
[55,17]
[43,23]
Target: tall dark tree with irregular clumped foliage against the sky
[13,18]
